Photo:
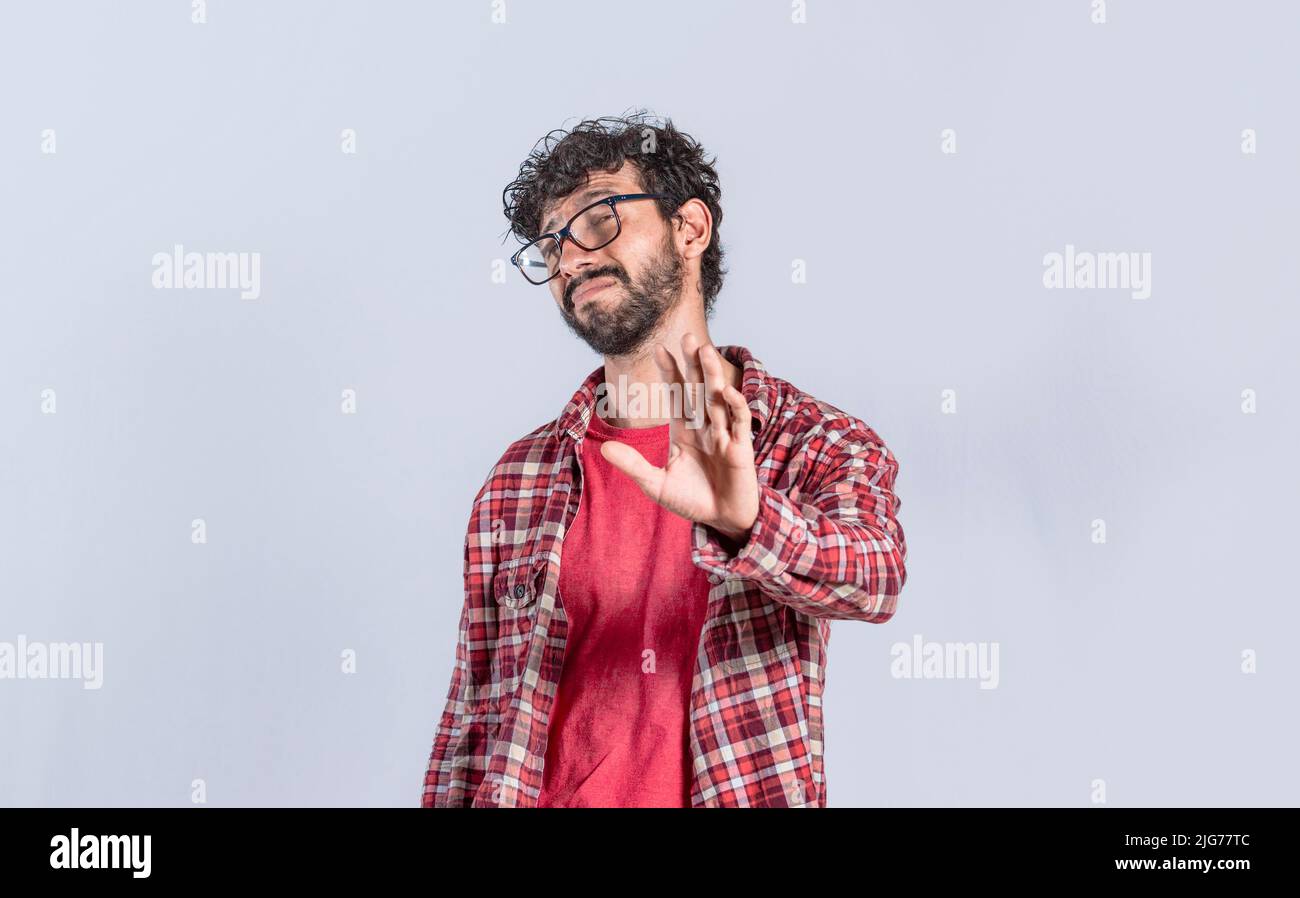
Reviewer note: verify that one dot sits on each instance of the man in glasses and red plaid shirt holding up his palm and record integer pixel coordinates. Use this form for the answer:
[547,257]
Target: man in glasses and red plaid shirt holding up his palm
[649,585]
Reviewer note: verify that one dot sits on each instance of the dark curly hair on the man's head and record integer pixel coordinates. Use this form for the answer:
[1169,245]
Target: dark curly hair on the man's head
[669,162]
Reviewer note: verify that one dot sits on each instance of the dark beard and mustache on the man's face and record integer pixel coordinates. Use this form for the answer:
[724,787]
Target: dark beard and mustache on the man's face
[622,328]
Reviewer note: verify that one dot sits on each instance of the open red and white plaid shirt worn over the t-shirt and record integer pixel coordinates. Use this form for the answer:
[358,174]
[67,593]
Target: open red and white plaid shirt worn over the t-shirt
[826,546]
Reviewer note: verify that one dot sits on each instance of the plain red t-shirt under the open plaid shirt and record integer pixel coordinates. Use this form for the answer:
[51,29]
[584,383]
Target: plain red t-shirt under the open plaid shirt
[636,606]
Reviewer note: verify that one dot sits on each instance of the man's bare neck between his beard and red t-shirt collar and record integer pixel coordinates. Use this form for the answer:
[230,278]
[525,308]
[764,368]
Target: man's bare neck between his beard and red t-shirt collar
[638,374]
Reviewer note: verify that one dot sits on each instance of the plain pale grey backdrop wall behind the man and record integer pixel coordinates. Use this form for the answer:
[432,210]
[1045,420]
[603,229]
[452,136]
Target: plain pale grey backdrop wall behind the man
[328,532]
